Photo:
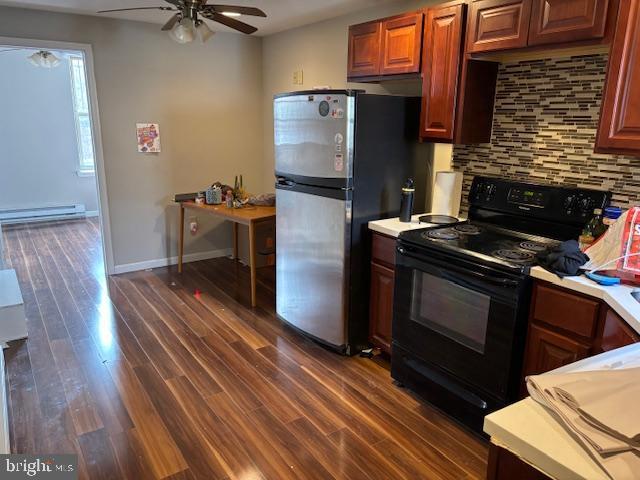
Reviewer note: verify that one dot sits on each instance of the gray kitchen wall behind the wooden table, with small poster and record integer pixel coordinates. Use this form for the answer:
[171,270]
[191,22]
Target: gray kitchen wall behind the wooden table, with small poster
[207,100]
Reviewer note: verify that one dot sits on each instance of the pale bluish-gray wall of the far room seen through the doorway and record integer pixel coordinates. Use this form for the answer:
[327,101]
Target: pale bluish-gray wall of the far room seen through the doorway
[38,147]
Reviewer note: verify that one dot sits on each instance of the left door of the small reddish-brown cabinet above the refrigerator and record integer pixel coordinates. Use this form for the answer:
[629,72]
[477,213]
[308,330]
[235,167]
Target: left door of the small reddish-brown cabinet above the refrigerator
[364,50]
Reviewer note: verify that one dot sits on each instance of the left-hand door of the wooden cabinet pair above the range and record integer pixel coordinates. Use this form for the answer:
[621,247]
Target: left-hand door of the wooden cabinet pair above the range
[498,25]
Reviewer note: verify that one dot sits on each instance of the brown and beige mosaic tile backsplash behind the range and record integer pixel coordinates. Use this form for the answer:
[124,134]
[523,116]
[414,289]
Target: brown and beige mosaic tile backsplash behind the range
[544,128]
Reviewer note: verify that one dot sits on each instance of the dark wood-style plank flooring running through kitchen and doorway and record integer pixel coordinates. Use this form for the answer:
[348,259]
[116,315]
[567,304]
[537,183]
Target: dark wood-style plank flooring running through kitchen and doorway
[159,375]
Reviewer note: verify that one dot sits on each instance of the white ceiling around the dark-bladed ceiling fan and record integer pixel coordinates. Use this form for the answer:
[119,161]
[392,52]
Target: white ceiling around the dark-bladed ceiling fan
[281,14]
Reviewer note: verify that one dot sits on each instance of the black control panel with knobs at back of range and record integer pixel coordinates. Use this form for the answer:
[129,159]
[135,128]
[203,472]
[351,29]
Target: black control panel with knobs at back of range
[548,202]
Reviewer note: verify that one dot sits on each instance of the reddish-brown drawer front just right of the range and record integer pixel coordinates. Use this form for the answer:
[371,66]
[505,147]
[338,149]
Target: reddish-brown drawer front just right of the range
[564,310]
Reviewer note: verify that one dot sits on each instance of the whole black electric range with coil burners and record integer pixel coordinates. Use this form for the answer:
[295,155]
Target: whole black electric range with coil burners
[462,293]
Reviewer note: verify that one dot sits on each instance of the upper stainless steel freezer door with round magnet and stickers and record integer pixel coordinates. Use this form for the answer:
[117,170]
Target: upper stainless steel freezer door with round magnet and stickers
[314,135]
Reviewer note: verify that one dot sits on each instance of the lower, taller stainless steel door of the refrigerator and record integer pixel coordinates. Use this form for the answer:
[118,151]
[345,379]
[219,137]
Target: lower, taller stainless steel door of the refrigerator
[312,234]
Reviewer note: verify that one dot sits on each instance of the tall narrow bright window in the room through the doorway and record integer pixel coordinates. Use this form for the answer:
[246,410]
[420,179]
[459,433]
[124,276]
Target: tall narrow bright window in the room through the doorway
[86,154]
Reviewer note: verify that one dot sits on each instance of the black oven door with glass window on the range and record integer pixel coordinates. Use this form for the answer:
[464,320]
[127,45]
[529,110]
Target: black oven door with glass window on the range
[458,316]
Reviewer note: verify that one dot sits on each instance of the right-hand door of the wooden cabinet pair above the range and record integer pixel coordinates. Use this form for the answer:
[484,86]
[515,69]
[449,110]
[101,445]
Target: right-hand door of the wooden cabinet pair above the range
[557,21]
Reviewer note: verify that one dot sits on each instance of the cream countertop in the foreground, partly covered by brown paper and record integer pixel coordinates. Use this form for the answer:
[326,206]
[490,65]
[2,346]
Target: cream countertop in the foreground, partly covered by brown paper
[531,432]
